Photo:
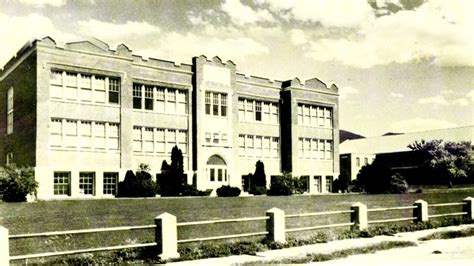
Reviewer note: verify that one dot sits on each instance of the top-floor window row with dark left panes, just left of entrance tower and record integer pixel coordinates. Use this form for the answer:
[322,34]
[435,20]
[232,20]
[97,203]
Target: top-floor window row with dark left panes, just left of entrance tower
[159,99]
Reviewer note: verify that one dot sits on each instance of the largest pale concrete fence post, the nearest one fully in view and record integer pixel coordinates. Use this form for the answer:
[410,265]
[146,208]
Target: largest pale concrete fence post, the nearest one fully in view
[166,236]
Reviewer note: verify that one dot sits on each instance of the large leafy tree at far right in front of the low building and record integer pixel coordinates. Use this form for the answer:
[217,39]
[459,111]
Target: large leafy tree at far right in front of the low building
[443,162]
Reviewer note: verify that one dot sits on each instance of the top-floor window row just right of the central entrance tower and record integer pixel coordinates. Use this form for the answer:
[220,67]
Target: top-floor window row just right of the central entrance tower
[259,111]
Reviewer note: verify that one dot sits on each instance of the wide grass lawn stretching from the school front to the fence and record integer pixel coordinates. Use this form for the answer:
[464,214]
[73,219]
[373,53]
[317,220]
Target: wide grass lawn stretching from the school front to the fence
[80,214]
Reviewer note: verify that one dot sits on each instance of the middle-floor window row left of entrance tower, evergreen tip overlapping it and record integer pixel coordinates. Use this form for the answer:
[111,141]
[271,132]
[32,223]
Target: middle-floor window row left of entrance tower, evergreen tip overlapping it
[159,140]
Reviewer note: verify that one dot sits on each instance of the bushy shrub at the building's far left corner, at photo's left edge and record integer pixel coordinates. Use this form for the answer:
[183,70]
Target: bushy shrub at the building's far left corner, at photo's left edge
[18,183]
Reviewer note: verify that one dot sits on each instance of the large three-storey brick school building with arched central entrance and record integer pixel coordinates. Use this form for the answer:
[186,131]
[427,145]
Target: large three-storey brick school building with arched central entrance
[83,114]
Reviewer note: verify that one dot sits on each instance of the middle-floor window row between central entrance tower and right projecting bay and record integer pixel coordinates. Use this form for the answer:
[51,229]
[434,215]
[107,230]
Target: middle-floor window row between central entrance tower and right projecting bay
[259,146]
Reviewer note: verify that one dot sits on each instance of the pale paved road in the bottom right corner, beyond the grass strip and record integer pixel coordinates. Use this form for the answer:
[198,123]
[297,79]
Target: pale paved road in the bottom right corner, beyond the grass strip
[458,251]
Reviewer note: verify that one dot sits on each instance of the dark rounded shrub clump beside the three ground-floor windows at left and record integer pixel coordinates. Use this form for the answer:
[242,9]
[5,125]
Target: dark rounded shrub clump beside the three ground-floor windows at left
[139,185]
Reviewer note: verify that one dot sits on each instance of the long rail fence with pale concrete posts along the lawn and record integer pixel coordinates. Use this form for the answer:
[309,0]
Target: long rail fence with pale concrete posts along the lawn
[166,228]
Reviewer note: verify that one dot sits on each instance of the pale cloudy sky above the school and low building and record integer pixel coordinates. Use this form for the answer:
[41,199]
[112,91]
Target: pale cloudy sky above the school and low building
[400,65]
